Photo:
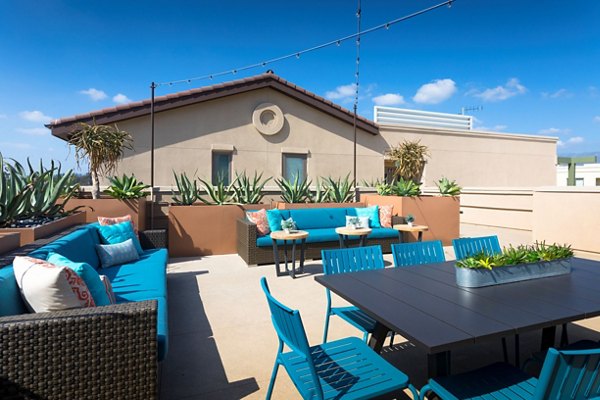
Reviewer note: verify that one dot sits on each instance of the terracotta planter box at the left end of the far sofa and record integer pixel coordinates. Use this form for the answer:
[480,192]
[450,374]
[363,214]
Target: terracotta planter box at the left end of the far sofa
[201,230]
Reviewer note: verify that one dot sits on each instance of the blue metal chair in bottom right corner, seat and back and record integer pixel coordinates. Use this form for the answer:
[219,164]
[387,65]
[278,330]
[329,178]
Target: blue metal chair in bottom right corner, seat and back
[570,375]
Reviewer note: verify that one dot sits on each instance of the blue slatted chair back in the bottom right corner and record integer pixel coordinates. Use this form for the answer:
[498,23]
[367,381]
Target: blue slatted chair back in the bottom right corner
[572,374]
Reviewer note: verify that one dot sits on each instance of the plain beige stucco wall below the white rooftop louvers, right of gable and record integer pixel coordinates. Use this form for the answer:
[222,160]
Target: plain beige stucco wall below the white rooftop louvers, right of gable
[482,159]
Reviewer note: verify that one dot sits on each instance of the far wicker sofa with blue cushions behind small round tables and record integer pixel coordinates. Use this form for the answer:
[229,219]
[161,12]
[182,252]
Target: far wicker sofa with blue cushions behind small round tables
[320,223]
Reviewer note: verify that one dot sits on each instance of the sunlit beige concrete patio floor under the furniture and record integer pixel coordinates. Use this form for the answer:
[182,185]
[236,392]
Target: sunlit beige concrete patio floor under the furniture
[223,345]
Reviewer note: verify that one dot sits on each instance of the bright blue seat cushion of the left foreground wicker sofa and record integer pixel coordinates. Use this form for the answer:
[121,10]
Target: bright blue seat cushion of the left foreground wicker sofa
[145,279]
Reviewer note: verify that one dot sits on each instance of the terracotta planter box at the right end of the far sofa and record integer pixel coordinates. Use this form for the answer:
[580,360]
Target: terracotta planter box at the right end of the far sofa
[440,213]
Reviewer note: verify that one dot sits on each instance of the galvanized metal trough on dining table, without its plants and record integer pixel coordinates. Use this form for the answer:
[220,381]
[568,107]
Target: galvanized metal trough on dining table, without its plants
[466,277]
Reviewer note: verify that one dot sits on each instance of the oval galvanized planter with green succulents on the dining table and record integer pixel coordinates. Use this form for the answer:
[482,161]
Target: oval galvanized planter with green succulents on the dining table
[514,264]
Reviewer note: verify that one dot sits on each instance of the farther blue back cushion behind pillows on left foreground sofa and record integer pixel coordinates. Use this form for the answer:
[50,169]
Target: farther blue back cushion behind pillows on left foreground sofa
[78,246]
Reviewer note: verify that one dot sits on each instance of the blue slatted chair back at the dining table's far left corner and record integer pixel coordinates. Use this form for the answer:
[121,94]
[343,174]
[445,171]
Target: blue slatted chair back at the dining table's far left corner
[354,259]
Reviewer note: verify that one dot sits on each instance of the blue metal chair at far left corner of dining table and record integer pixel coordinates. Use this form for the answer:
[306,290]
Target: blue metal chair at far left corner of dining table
[353,259]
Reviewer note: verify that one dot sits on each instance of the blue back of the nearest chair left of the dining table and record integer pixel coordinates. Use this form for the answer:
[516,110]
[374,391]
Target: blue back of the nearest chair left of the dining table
[290,330]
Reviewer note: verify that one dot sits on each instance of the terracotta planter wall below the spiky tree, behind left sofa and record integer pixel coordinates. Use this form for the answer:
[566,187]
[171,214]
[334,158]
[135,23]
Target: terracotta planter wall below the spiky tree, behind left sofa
[109,207]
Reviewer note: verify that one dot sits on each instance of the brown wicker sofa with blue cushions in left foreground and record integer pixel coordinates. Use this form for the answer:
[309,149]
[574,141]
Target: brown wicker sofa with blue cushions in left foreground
[109,352]
